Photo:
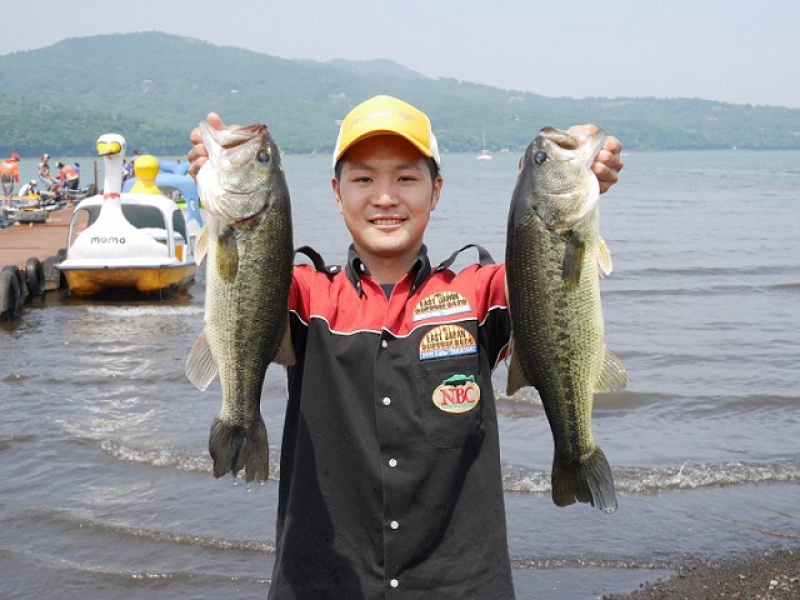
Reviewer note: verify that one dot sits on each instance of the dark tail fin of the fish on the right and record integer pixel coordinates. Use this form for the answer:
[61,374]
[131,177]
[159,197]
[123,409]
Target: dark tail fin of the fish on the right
[590,481]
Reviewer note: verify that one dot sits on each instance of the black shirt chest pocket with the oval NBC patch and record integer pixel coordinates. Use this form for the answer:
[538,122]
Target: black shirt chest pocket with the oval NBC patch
[449,429]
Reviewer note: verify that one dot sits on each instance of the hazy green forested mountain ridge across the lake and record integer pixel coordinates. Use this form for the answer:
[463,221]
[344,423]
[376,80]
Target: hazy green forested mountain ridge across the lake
[154,88]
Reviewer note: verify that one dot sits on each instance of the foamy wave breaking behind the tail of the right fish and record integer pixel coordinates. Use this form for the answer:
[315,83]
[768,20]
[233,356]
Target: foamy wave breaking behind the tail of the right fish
[652,480]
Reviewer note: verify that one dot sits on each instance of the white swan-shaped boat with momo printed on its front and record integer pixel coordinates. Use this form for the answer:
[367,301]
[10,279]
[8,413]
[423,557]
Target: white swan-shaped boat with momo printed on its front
[129,241]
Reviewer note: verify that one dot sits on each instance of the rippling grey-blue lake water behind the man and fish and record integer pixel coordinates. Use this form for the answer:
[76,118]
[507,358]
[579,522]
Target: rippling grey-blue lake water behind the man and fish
[106,484]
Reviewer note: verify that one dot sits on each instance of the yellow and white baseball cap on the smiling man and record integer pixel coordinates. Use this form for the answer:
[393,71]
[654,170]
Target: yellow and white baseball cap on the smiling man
[382,115]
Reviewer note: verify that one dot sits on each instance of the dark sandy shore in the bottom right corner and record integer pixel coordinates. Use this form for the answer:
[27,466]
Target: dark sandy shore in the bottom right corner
[768,576]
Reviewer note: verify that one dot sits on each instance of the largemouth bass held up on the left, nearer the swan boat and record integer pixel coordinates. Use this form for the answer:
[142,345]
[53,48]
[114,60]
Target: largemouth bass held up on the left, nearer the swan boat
[247,245]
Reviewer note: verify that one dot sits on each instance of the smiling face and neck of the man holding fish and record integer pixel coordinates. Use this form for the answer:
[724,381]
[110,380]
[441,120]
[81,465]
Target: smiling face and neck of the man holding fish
[386,195]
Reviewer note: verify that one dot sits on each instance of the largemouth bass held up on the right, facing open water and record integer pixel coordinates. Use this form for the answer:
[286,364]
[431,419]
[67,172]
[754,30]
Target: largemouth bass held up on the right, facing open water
[554,258]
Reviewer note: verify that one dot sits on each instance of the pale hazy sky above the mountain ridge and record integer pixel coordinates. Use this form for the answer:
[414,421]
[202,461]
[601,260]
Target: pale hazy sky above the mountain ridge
[729,50]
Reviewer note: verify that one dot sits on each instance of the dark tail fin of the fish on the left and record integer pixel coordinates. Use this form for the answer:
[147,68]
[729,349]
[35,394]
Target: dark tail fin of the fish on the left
[235,447]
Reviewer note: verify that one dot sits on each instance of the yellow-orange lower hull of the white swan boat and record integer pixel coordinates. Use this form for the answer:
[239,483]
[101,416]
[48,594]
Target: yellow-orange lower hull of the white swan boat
[145,280]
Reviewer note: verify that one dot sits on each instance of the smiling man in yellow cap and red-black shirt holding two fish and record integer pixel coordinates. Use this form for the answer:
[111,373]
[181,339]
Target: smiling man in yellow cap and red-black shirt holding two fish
[390,463]
